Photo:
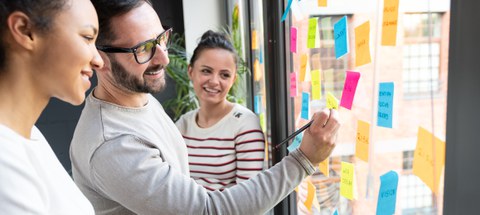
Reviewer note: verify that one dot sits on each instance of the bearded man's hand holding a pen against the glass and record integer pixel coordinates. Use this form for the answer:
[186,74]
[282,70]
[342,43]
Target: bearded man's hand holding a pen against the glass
[319,139]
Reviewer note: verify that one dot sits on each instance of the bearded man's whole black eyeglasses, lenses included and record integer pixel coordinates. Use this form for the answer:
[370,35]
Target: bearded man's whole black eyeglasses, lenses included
[144,51]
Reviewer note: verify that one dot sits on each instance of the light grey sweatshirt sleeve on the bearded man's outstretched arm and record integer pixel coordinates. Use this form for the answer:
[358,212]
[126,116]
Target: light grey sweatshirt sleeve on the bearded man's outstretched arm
[133,173]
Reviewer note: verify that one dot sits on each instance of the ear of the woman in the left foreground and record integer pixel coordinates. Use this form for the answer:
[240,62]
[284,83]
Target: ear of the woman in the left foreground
[20,27]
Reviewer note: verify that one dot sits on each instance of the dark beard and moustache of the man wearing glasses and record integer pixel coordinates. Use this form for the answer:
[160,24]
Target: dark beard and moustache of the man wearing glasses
[132,83]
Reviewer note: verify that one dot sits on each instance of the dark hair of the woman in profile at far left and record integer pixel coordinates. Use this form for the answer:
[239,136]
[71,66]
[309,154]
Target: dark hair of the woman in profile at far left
[41,12]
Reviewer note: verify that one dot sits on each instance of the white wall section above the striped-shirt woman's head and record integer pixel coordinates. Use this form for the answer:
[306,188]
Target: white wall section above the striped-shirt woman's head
[200,16]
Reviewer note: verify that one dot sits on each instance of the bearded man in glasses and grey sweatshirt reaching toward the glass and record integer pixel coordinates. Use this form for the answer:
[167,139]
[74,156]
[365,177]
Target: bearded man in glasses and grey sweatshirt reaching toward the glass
[128,156]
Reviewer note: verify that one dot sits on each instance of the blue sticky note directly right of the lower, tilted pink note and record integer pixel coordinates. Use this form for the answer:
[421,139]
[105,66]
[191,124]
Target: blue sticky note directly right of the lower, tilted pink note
[385,104]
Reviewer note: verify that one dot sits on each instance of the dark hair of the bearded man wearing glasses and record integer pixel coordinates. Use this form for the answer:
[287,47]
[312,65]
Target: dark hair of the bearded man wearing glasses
[108,9]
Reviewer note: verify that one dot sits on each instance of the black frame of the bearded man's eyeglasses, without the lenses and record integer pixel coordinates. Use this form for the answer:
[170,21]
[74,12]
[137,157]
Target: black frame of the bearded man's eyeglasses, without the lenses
[111,49]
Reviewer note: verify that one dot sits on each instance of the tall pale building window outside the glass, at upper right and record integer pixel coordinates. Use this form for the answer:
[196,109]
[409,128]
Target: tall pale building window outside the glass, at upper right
[421,54]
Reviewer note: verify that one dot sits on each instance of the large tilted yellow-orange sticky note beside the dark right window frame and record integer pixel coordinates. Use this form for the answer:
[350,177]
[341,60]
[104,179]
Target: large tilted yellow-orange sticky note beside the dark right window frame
[429,158]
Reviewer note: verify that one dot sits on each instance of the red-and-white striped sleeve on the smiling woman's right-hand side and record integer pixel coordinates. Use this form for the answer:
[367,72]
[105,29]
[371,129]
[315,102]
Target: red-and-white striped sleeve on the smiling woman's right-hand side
[250,149]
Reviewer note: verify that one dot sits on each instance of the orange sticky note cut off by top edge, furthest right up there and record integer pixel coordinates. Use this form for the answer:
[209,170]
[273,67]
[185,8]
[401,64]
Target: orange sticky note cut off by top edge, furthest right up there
[390,21]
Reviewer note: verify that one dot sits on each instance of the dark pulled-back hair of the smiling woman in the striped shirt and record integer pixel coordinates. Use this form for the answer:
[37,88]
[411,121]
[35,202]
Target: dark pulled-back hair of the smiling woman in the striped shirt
[213,40]
